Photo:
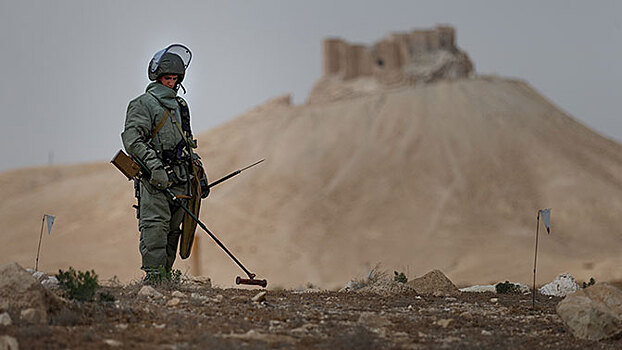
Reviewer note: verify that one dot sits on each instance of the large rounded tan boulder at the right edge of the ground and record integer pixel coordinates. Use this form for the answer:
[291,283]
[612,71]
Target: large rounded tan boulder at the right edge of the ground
[593,313]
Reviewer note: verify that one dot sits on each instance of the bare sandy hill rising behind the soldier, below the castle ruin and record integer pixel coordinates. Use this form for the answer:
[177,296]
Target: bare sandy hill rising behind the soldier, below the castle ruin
[447,175]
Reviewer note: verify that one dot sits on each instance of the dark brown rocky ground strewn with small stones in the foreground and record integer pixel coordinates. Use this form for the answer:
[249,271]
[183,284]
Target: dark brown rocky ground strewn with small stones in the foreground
[194,315]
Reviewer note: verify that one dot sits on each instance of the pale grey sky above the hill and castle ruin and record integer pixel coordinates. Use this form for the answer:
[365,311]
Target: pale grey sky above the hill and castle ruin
[71,67]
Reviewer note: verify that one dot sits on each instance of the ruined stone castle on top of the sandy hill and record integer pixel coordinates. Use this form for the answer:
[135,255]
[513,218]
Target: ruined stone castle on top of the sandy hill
[421,56]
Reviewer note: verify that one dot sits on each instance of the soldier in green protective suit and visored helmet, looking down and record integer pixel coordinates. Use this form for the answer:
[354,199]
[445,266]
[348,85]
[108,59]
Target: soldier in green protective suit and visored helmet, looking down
[157,131]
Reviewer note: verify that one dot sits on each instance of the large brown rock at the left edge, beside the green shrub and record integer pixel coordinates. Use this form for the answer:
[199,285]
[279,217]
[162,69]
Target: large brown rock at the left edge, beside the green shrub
[20,290]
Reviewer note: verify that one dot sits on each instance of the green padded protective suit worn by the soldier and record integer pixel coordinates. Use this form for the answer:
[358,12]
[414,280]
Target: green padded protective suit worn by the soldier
[160,217]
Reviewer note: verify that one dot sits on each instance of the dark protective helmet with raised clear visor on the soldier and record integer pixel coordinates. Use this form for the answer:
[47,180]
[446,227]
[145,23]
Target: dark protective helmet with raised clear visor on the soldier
[172,60]
